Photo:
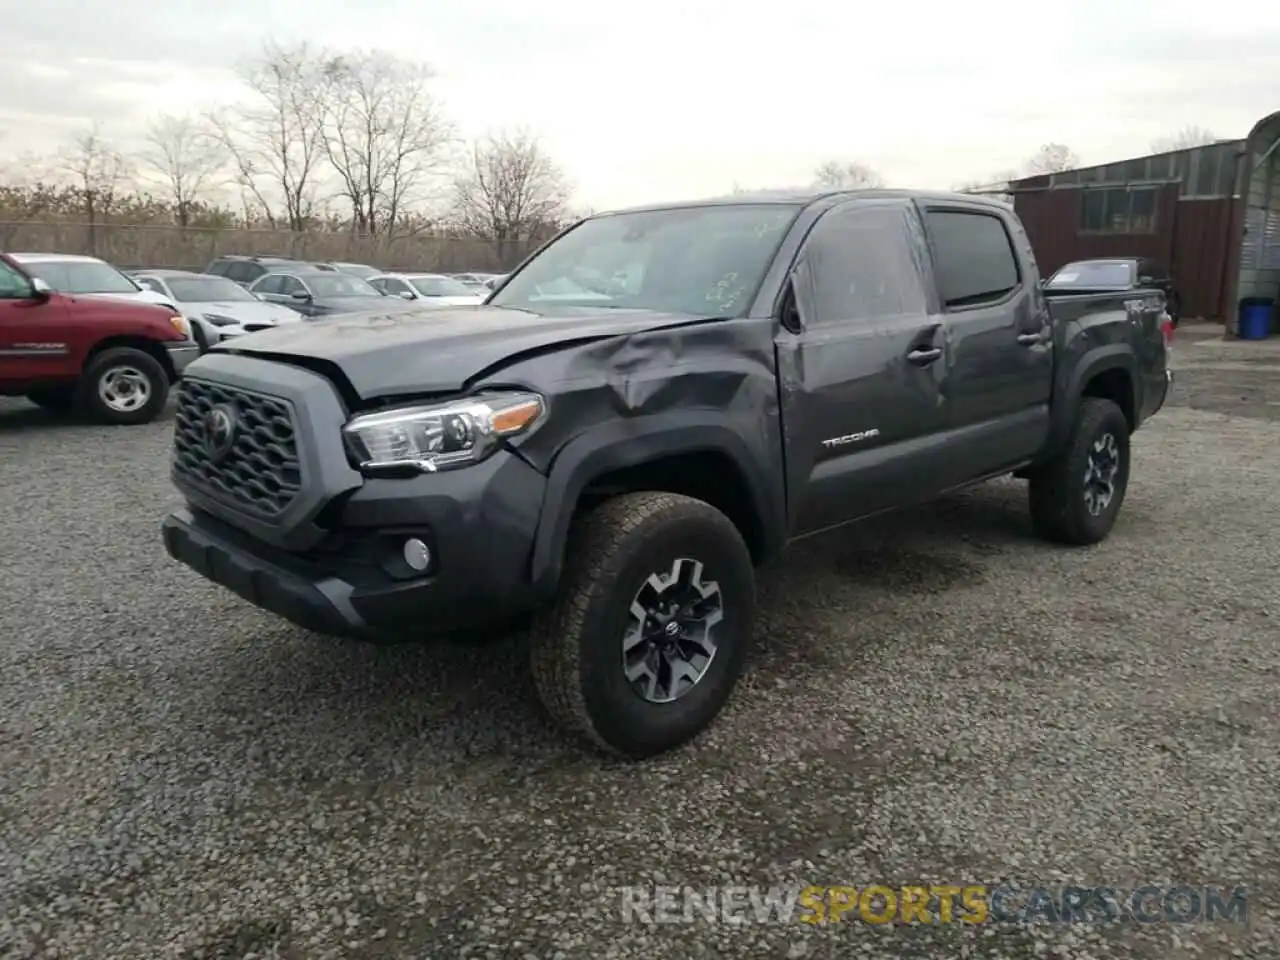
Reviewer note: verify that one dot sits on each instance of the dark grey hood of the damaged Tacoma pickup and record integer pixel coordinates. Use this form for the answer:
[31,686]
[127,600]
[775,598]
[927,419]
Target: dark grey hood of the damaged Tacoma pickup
[438,350]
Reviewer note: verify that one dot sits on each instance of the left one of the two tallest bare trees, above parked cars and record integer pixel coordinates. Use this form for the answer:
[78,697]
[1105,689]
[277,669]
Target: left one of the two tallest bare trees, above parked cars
[277,140]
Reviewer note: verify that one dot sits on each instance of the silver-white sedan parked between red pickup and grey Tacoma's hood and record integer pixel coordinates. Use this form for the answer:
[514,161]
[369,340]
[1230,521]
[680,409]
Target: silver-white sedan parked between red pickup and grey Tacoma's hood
[217,308]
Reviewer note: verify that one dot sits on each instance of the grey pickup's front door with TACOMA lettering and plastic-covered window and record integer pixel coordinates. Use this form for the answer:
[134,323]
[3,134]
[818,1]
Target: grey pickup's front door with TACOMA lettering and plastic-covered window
[861,365]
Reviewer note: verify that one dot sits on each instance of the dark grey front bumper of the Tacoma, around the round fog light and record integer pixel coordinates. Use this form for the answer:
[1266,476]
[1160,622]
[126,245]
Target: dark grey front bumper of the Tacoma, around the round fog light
[479,524]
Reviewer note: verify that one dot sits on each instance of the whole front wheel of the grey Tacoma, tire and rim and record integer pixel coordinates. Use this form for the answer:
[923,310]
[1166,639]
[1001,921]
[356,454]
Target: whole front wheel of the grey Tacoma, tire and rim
[651,630]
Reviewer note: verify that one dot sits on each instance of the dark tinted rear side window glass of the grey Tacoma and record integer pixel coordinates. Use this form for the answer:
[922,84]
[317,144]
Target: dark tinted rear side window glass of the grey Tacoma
[973,258]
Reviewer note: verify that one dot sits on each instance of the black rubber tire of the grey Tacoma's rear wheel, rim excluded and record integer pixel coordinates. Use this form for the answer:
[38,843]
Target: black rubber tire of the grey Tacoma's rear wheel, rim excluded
[1057,492]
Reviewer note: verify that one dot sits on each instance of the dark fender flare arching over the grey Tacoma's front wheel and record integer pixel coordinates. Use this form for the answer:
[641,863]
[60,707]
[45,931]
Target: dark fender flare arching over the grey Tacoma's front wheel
[629,444]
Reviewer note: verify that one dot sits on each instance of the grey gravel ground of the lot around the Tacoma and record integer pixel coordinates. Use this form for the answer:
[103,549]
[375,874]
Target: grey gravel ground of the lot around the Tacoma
[936,697]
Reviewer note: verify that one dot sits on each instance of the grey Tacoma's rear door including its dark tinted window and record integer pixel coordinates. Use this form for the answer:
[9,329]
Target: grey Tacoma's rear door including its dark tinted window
[1002,348]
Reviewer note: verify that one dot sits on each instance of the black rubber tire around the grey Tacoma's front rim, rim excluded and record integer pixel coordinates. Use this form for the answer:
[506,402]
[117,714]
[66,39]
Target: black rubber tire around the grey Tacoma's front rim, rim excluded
[577,644]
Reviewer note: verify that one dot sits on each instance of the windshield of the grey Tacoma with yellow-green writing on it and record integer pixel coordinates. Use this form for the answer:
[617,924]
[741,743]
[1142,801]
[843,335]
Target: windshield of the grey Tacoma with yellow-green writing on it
[703,260]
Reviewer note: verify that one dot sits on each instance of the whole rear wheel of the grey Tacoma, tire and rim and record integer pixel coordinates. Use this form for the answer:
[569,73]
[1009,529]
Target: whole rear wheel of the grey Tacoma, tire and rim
[1077,496]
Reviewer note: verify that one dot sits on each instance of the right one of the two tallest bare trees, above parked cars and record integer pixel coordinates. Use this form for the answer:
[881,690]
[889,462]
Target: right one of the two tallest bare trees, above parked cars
[385,136]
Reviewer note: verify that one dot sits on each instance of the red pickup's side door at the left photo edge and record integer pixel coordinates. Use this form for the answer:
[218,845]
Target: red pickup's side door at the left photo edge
[38,341]
